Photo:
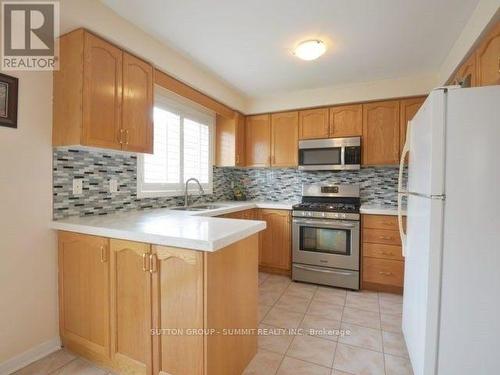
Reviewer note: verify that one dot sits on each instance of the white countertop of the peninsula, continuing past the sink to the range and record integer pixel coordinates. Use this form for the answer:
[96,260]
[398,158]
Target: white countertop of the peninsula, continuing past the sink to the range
[186,229]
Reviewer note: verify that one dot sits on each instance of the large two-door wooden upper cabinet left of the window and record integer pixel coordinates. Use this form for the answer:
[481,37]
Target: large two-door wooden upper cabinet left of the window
[103,97]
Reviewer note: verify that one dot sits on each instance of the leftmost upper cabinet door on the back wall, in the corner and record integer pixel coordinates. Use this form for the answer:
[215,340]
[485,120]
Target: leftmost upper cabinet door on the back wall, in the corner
[258,139]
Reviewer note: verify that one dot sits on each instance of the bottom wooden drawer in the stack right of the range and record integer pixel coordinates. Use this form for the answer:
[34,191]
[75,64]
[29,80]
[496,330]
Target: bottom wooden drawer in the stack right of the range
[383,271]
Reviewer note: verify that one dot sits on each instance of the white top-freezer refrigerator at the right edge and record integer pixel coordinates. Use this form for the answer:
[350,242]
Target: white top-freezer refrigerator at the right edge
[451,303]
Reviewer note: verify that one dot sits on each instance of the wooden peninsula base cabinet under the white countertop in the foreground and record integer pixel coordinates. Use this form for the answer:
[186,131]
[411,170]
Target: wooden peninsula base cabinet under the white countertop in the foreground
[143,309]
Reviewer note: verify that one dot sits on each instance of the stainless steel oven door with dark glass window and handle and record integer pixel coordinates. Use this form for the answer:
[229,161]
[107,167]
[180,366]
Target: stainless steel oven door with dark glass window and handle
[327,243]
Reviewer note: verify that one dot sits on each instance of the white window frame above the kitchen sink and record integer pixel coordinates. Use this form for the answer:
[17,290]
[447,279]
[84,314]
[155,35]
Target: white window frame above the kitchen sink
[183,107]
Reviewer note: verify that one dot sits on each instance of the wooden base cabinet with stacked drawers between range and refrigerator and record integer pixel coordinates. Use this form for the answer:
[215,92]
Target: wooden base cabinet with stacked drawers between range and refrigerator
[382,266]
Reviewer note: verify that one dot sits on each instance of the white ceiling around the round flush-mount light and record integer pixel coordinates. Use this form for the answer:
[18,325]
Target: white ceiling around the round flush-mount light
[248,43]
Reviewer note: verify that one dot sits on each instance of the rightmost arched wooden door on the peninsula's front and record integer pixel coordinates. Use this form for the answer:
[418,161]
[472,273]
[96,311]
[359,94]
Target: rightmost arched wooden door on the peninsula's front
[178,306]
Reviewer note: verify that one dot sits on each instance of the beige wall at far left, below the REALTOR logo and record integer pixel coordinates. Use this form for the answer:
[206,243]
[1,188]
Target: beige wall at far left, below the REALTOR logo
[28,265]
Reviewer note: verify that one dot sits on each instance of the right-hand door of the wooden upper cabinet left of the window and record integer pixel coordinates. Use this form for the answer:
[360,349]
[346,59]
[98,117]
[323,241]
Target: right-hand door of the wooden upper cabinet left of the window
[137,113]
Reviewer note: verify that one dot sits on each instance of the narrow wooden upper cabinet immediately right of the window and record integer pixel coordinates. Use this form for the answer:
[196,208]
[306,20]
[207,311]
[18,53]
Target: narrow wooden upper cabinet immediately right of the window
[230,141]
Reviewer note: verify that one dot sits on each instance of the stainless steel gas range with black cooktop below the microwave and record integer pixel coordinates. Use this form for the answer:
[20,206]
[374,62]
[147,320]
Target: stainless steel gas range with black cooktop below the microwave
[326,236]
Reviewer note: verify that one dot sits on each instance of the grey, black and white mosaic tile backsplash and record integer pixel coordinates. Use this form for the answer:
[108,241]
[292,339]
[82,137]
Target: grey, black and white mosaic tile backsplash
[96,168]
